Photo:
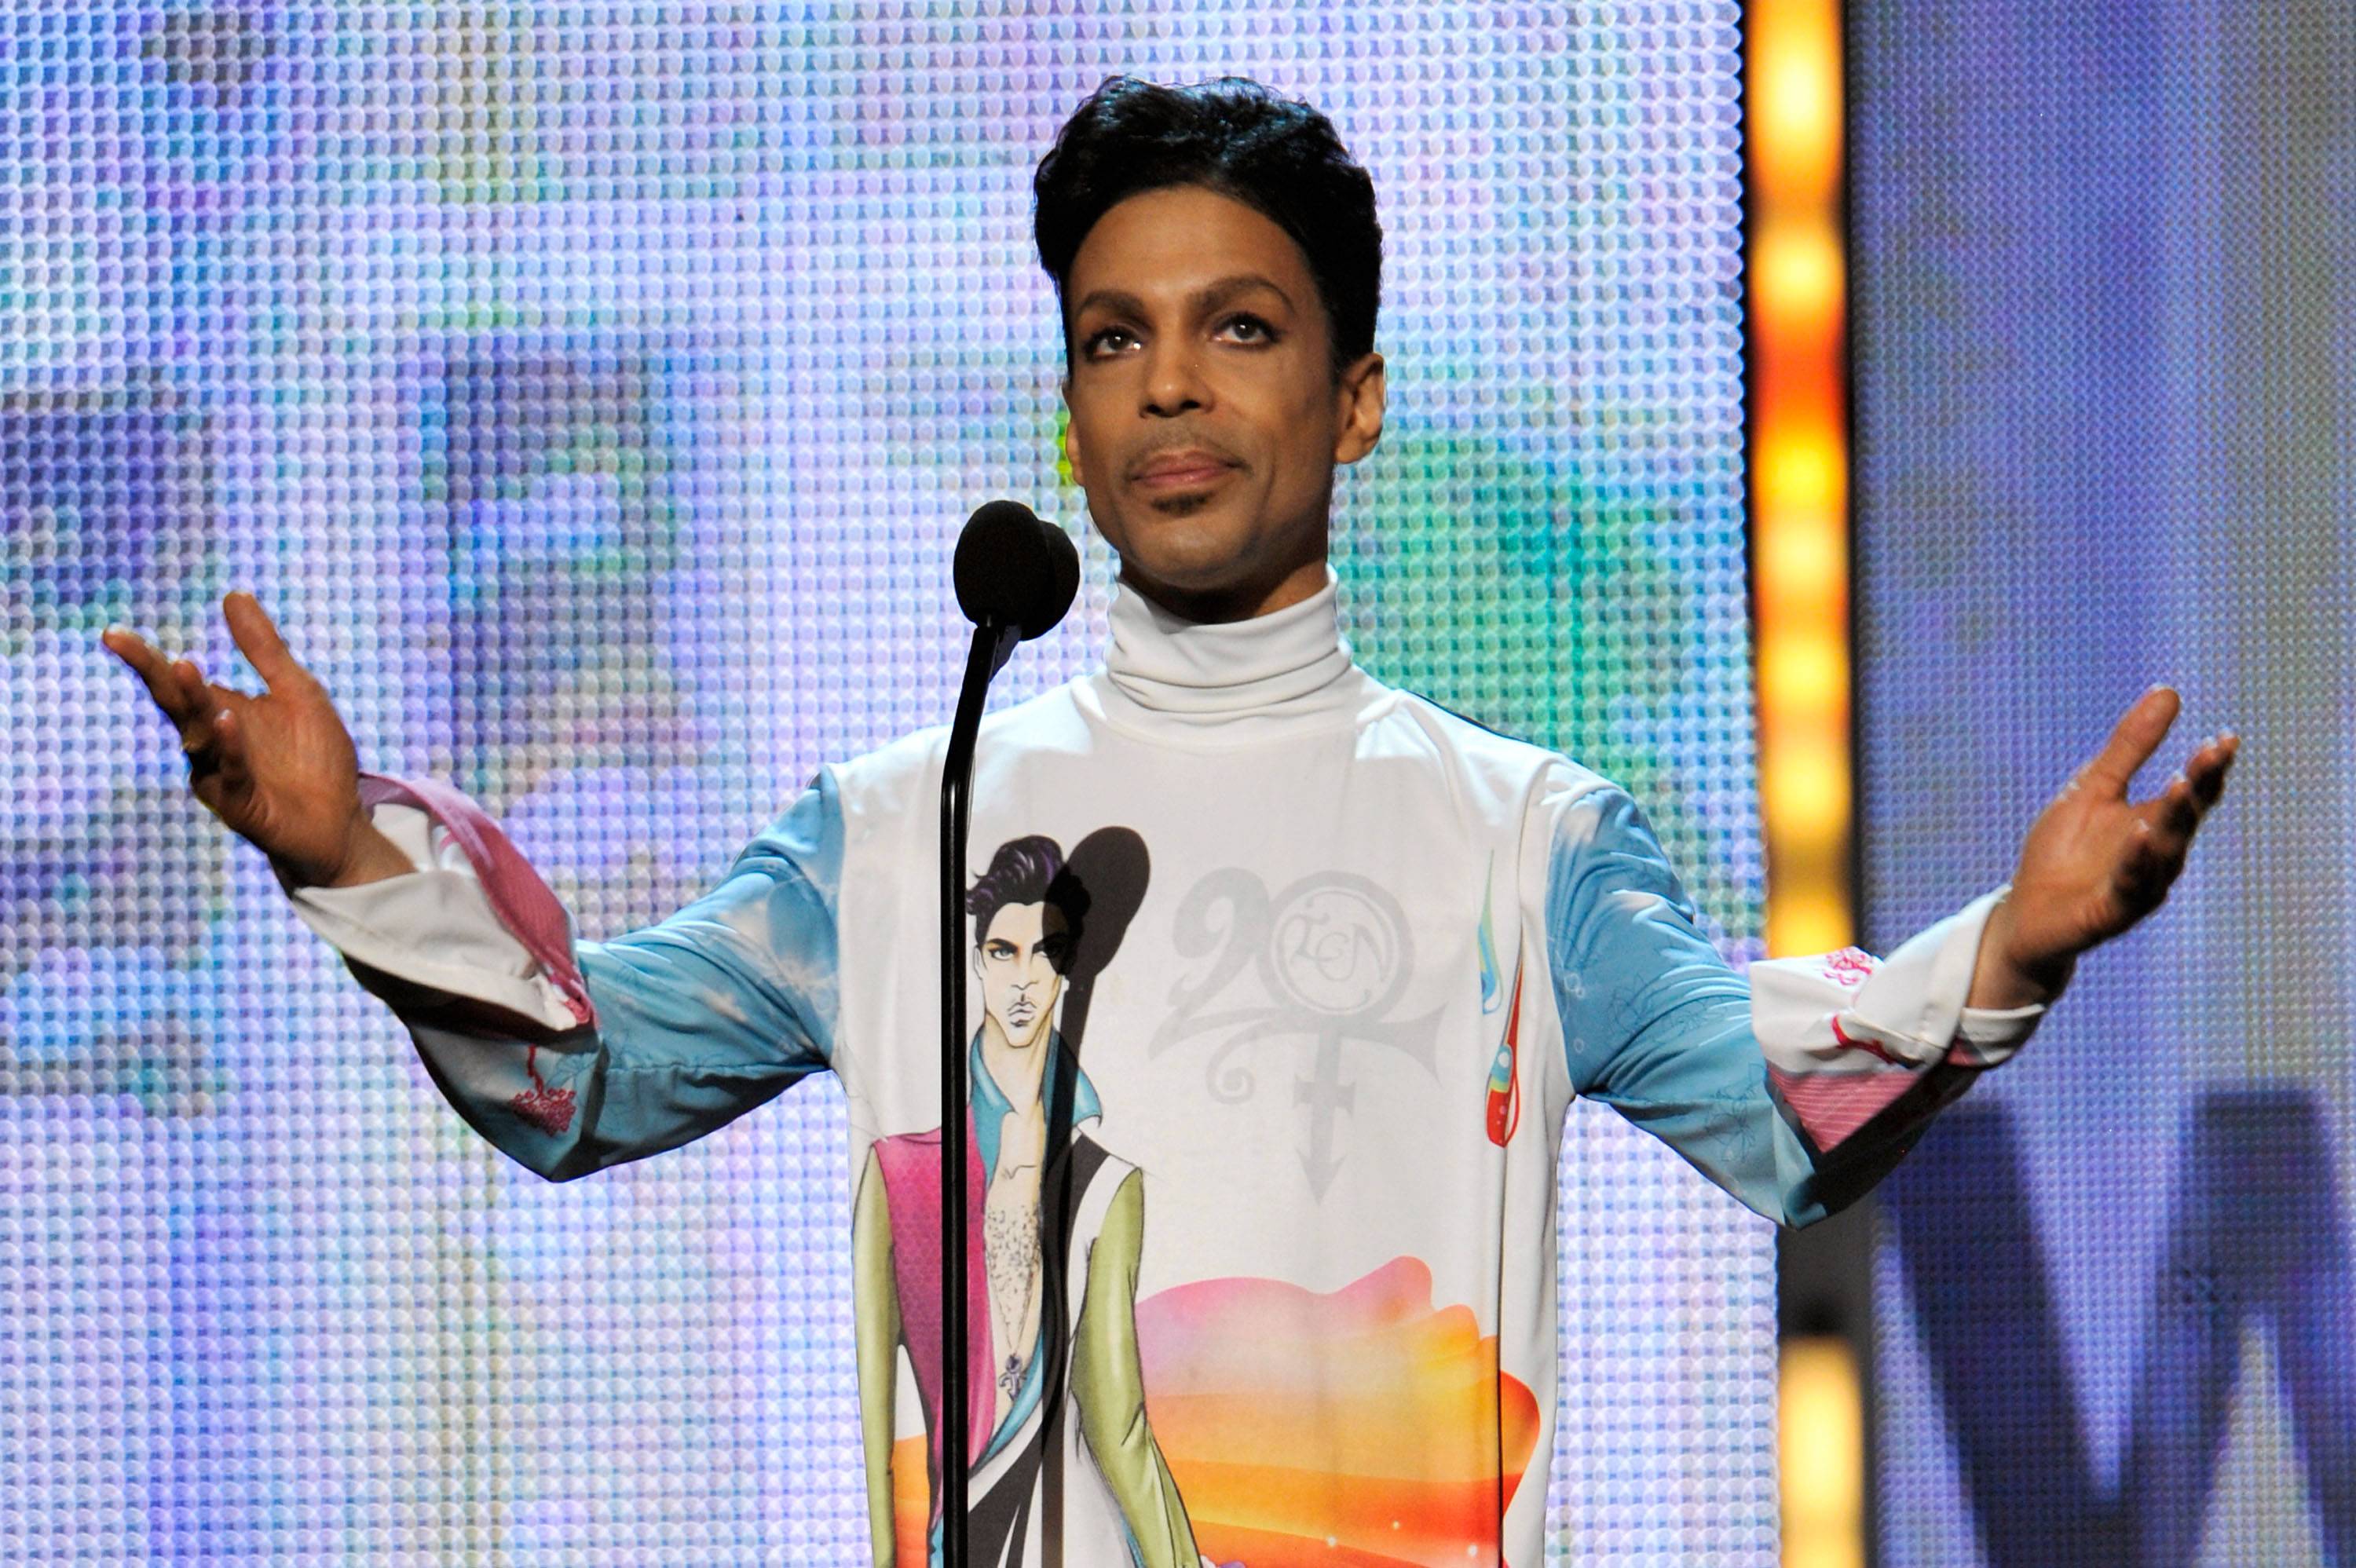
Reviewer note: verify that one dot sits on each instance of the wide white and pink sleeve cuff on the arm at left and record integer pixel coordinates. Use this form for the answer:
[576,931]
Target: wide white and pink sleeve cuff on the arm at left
[472,919]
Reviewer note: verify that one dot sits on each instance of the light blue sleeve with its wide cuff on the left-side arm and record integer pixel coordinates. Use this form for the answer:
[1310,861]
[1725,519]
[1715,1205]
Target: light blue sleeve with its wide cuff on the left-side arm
[644,1042]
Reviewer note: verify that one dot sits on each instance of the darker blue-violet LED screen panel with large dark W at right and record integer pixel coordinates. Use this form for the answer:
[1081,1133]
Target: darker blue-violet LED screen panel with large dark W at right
[2107,437]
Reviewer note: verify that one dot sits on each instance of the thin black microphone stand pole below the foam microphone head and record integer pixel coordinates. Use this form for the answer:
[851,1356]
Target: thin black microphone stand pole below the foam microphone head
[993,646]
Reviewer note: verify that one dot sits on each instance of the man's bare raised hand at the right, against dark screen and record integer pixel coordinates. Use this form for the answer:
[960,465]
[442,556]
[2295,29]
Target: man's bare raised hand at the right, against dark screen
[2098,863]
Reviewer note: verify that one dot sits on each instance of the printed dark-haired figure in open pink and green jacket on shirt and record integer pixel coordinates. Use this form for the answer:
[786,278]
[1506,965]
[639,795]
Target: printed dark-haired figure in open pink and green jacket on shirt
[1061,1463]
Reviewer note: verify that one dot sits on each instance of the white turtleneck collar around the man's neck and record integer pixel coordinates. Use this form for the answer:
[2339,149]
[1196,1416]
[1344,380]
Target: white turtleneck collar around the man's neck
[1240,679]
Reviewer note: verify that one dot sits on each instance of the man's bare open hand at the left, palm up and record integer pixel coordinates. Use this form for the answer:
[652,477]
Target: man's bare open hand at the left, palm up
[279,769]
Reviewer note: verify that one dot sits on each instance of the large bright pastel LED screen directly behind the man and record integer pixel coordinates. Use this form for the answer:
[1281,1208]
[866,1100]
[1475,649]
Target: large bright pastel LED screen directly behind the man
[595,397]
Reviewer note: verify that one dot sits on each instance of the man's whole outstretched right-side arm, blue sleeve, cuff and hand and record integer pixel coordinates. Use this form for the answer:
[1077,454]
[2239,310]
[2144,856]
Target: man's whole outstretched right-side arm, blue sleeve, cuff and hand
[1801,1084]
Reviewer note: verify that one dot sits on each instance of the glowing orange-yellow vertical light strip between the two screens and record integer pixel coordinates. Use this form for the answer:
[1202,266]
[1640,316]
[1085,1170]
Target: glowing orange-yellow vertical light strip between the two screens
[1801,599]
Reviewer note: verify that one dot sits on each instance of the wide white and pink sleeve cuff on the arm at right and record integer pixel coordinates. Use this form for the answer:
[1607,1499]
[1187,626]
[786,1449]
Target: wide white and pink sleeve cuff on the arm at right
[1848,1032]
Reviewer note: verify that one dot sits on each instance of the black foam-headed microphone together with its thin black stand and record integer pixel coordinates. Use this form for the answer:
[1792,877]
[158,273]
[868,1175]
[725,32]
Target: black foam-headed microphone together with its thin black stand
[1014,580]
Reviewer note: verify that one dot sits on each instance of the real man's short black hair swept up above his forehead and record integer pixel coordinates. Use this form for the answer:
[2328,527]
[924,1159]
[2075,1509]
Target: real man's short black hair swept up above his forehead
[1238,138]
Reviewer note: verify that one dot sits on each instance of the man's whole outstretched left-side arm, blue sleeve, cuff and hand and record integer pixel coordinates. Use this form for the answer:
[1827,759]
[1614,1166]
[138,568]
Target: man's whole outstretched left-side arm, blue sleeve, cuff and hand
[569,1056]
